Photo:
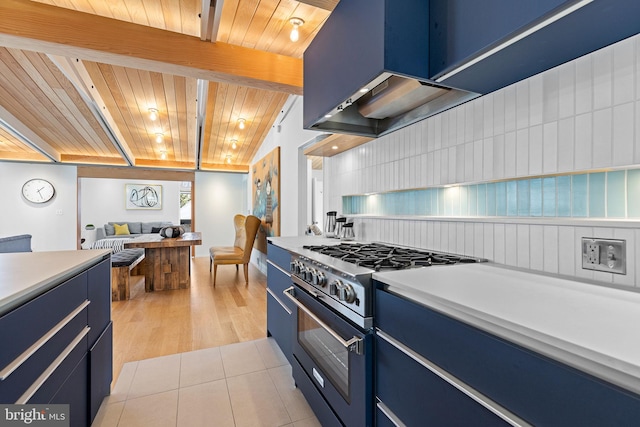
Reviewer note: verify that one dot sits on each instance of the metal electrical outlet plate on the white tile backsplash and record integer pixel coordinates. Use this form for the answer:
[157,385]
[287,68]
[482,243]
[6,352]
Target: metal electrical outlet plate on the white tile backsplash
[604,255]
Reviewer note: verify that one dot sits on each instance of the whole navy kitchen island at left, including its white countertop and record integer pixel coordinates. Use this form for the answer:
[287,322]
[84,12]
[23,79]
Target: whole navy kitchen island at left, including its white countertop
[56,330]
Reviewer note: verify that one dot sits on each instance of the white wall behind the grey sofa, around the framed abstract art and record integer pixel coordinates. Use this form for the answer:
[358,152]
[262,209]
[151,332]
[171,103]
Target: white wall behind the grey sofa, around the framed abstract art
[103,200]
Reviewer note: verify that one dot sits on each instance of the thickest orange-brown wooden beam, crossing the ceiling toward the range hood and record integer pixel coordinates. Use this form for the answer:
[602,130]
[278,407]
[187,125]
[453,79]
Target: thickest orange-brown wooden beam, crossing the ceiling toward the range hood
[54,30]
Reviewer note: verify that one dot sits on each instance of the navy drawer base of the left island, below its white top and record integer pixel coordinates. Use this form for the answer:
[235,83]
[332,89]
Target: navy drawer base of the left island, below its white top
[57,347]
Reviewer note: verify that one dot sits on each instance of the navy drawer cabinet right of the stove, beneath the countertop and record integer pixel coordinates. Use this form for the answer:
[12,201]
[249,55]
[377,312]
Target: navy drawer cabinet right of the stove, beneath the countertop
[538,390]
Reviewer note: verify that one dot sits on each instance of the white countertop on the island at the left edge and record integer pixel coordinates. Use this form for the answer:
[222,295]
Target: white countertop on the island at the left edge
[25,275]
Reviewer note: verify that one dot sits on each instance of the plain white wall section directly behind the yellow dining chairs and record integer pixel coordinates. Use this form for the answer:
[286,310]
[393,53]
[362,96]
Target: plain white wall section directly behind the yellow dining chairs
[218,197]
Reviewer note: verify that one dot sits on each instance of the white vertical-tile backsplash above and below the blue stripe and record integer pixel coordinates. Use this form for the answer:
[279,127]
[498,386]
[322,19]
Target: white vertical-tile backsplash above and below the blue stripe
[583,115]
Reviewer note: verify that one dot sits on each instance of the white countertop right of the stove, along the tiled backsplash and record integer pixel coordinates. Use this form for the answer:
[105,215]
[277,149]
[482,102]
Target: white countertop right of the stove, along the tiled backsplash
[592,328]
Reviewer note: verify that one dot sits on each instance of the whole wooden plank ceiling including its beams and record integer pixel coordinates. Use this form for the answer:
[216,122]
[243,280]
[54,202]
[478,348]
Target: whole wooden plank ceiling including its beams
[78,79]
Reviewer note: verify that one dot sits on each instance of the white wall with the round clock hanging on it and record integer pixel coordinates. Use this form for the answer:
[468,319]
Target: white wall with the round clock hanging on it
[52,224]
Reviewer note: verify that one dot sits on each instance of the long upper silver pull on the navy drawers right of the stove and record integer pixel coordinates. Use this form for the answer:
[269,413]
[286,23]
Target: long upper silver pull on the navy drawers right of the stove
[481,399]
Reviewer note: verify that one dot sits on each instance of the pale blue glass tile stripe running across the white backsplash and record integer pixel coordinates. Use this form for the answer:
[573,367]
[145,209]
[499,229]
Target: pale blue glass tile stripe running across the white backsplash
[614,194]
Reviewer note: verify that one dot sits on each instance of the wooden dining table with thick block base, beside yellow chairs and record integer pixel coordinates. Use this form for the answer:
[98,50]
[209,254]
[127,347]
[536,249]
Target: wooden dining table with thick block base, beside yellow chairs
[167,263]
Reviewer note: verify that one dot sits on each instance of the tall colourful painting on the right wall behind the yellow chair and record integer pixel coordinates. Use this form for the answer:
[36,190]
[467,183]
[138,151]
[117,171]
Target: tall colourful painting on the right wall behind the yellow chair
[265,176]
